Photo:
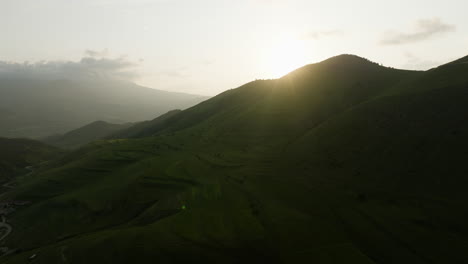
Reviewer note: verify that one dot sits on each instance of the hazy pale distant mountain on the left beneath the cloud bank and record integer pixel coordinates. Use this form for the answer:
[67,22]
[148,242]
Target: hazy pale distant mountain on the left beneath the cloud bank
[40,108]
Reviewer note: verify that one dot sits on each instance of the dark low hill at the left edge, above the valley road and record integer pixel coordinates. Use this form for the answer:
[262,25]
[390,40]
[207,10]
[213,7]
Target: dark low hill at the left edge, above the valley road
[16,155]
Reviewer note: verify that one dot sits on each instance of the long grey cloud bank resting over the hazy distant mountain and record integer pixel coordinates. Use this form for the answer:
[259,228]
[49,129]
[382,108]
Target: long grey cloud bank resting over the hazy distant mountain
[92,66]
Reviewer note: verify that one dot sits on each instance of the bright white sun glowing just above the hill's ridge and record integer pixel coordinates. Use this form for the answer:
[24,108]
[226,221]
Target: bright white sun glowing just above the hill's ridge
[284,56]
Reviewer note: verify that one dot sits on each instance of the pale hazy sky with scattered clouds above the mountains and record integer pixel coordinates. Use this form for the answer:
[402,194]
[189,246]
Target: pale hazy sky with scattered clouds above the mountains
[208,46]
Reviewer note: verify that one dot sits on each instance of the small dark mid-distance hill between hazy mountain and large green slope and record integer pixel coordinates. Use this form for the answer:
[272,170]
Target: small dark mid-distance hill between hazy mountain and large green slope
[84,135]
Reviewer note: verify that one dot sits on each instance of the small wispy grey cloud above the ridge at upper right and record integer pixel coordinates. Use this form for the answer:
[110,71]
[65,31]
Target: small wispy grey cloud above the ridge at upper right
[424,29]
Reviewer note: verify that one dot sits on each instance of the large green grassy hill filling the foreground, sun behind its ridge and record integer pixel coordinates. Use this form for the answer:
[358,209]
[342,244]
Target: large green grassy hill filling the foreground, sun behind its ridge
[343,161]
